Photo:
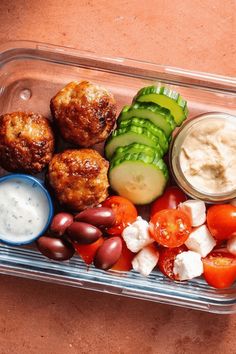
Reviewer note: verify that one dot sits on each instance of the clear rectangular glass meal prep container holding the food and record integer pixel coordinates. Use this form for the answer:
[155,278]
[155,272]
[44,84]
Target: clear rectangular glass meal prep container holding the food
[30,74]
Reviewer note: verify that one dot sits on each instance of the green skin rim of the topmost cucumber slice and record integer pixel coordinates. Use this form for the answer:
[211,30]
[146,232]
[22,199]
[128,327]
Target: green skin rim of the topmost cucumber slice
[165,91]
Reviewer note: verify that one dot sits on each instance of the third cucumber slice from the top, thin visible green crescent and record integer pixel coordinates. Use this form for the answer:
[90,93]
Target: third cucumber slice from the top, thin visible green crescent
[144,123]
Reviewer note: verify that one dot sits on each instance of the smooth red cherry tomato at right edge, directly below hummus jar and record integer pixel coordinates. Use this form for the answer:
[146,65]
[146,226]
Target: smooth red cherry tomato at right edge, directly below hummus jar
[221,221]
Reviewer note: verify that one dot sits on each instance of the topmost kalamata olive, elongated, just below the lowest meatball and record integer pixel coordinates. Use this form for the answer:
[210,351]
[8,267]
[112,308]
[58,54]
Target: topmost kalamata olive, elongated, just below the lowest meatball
[101,217]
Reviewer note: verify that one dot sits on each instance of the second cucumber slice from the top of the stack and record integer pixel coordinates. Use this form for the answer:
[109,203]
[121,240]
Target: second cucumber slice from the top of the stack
[159,116]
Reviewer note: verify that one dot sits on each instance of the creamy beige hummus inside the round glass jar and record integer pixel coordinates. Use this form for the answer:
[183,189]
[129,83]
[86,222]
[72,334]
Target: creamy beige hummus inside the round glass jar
[208,156]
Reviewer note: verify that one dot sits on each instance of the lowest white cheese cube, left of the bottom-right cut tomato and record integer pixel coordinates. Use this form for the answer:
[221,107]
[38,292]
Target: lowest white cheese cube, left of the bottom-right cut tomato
[188,265]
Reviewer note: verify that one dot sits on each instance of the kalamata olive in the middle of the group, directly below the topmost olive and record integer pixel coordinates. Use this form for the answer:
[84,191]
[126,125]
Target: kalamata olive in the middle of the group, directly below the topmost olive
[83,233]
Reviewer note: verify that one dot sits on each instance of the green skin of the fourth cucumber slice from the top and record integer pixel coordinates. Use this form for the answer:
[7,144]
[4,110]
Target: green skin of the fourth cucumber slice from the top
[152,140]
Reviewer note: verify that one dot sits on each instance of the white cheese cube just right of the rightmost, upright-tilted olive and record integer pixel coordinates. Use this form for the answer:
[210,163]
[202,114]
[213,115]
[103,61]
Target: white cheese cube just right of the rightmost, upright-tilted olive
[146,260]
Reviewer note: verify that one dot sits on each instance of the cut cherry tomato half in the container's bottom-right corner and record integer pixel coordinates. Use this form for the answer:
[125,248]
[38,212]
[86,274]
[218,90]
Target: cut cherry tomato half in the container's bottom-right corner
[220,268]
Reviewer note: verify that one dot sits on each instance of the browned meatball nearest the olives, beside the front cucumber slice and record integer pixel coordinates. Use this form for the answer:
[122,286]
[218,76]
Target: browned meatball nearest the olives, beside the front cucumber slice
[79,178]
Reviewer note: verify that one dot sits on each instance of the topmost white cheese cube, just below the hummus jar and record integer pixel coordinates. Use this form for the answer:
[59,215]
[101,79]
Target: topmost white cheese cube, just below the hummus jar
[196,210]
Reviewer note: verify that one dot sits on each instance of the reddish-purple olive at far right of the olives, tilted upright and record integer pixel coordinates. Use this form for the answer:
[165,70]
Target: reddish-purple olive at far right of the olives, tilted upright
[109,253]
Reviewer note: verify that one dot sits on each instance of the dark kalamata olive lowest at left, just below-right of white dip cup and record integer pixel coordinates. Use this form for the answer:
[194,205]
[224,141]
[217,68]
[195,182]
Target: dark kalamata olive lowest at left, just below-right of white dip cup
[55,248]
